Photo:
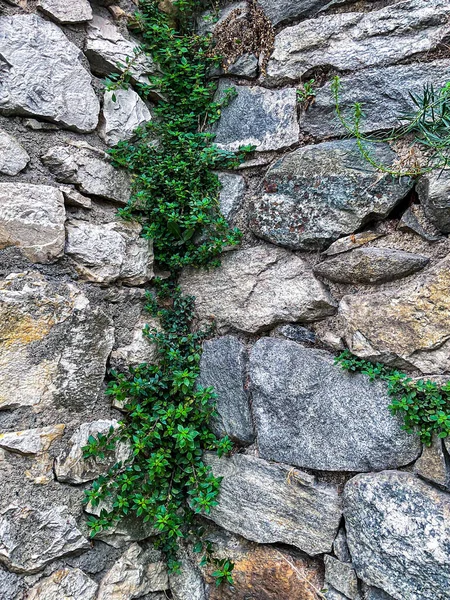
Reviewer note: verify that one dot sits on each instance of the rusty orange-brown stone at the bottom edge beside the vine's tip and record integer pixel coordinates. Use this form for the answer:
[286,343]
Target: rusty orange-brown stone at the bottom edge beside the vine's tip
[264,572]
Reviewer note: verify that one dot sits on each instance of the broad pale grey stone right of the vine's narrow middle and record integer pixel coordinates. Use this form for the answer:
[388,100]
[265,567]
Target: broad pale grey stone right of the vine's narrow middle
[257,288]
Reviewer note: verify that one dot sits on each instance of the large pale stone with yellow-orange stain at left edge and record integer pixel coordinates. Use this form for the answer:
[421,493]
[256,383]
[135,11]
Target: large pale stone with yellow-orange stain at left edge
[54,343]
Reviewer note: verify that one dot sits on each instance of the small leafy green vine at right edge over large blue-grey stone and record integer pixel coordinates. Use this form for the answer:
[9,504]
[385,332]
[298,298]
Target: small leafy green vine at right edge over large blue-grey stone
[424,404]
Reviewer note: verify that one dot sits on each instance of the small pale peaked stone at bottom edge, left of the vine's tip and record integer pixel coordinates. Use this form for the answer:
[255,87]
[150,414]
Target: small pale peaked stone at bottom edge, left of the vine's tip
[135,574]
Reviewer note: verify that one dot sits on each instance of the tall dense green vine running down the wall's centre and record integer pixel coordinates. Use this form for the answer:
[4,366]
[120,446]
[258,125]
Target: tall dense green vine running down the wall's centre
[164,481]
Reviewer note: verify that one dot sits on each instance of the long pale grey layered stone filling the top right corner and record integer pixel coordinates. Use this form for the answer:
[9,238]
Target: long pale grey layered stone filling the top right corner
[358,40]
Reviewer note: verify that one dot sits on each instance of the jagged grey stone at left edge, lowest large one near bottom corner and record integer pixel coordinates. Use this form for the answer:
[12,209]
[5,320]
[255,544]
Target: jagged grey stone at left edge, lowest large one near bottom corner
[30,539]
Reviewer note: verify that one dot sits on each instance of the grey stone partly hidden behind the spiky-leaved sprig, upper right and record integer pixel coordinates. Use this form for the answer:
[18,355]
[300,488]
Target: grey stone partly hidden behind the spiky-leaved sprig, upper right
[383,109]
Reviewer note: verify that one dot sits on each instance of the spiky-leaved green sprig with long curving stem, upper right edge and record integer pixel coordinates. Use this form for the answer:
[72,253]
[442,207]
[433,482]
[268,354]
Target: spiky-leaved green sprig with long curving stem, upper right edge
[428,129]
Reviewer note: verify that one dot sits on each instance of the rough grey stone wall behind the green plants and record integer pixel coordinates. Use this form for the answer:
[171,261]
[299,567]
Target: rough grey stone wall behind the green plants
[326,491]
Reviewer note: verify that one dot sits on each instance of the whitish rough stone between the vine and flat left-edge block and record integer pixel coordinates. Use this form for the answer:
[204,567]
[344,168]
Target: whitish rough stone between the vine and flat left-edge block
[106,253]
